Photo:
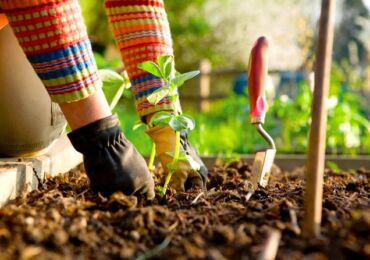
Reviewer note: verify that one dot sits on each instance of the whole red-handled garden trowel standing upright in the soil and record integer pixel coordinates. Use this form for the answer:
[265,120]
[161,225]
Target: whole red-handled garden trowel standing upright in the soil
[257,75]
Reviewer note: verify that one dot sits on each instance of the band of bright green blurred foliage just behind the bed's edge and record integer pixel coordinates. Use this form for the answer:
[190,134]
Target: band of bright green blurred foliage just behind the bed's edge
[226,129]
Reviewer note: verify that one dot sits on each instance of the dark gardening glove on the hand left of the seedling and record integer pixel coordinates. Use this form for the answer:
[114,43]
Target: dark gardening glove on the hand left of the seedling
[111,161]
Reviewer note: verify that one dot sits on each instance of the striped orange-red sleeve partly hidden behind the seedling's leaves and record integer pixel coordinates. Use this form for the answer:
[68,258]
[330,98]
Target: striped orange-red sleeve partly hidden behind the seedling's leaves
[142,33]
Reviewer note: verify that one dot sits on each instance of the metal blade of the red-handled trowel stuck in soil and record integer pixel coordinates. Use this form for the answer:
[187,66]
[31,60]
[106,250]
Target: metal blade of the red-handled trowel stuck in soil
[261,168]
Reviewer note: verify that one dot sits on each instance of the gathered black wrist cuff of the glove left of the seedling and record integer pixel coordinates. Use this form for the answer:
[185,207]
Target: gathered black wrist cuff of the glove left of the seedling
[96,135]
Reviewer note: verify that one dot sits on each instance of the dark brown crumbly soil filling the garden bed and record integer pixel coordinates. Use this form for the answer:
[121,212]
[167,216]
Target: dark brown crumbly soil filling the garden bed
[65,220]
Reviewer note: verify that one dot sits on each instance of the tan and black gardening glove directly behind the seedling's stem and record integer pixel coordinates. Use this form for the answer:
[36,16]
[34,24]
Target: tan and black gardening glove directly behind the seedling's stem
[184,176]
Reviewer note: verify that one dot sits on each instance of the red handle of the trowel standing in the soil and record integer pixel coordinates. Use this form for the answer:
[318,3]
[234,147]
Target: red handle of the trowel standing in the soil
[257,75]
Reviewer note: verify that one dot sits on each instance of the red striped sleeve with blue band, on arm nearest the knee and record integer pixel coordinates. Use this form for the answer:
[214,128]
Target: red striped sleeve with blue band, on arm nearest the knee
[53,36]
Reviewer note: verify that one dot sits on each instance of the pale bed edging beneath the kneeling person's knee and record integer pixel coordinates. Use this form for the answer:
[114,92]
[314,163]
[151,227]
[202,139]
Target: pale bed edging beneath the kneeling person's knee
[20,173]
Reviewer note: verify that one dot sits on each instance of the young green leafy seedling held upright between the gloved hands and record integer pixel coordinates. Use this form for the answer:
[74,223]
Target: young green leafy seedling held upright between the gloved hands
[164,69]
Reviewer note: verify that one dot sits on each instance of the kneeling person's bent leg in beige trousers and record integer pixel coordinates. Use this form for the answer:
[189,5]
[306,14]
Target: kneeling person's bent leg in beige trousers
[29,121]
